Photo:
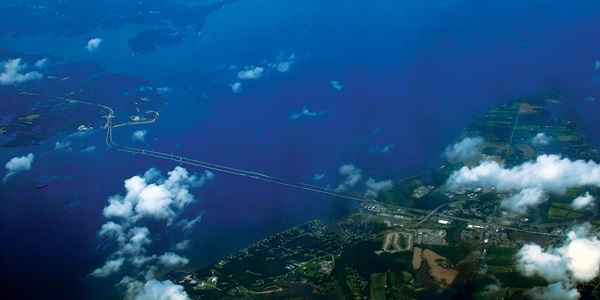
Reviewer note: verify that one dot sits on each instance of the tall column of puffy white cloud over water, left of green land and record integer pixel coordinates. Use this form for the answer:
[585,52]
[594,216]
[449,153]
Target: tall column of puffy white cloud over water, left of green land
[149,198]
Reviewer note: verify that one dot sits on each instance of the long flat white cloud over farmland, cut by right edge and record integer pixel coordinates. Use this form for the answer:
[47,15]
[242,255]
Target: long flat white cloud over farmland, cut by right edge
[548,173]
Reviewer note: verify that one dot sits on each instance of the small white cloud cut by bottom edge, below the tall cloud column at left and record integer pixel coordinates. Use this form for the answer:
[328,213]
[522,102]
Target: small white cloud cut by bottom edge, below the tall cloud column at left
[158,290]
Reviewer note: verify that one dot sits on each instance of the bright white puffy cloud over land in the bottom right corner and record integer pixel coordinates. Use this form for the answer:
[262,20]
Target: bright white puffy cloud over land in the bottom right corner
[576,261]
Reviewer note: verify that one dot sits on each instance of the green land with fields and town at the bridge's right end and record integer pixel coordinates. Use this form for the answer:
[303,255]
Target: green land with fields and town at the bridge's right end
[421,239]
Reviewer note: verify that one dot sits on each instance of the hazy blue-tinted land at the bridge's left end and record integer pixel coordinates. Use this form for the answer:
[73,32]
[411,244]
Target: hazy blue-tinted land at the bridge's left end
[31,113]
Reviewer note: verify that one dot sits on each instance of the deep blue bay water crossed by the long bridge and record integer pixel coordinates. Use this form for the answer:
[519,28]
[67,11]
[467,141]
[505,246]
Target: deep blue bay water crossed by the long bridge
[414,73]
